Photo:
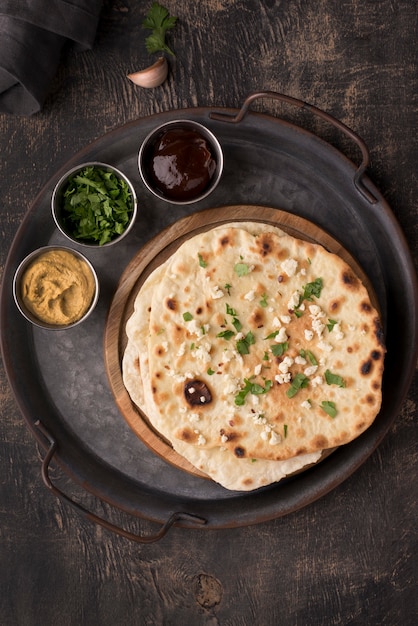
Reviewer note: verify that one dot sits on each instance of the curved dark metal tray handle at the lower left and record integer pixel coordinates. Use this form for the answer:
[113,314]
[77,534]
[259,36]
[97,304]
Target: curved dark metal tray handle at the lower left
[189,519]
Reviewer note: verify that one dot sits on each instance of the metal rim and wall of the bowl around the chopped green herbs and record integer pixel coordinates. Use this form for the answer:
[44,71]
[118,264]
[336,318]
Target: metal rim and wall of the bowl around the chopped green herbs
[57,203]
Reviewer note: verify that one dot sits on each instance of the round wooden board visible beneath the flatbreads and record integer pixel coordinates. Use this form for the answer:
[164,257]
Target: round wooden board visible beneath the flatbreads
[158,250]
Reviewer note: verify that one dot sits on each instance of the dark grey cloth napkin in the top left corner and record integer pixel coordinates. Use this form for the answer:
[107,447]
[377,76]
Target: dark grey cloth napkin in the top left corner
[32,36]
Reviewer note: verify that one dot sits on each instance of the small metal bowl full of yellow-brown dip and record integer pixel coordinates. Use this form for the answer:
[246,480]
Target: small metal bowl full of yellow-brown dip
[55,287]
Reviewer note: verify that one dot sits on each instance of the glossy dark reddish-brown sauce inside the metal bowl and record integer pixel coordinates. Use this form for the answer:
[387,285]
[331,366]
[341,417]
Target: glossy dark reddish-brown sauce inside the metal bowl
[181,164]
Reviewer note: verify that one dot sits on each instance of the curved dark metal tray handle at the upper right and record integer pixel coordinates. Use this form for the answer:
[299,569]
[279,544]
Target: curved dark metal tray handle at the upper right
[359,173]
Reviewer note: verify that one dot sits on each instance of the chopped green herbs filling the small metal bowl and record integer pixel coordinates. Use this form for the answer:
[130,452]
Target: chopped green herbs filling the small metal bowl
[97,205]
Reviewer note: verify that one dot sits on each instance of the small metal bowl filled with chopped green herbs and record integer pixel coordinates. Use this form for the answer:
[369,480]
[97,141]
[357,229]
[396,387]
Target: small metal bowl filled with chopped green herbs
[94,204]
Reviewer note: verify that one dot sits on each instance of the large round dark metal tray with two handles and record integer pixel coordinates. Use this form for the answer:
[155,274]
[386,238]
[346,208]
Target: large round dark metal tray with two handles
[59,378]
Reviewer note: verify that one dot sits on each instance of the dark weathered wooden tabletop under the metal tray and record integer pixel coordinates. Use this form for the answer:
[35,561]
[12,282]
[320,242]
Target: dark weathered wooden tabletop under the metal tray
[347,558]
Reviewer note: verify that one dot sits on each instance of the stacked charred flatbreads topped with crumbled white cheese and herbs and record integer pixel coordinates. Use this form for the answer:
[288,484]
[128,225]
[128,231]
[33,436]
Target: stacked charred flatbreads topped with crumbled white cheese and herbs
[252,352]
